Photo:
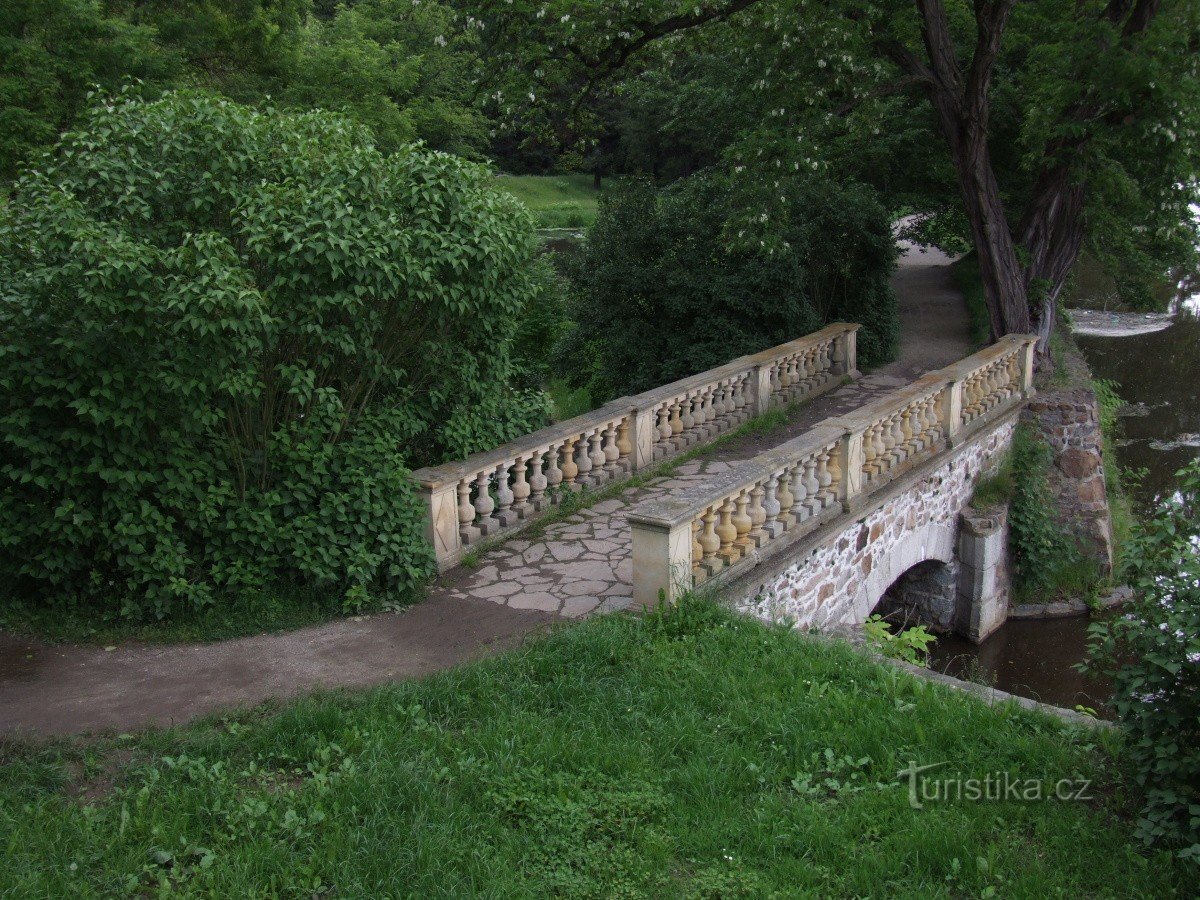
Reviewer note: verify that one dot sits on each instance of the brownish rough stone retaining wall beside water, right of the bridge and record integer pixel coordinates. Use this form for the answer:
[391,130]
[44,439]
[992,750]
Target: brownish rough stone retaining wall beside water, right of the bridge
[1070,423]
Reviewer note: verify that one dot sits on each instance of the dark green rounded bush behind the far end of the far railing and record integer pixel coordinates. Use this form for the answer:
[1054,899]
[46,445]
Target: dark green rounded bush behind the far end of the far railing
[668,287]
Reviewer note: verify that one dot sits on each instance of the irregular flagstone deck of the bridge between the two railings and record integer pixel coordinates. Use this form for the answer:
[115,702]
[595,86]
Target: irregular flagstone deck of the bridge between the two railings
[584,565]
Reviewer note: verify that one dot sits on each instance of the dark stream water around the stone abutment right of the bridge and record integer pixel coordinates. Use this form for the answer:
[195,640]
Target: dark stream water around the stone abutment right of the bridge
[1156,374]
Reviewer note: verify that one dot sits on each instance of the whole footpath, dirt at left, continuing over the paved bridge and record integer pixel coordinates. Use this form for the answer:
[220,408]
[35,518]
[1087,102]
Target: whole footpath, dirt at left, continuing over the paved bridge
[579,567]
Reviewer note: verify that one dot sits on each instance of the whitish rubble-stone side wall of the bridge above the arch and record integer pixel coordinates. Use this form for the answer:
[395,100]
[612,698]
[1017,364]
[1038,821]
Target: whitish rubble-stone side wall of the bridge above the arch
[843,579]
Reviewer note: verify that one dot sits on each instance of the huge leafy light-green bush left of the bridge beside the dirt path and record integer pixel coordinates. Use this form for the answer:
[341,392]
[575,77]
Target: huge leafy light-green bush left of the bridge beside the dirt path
[226,335]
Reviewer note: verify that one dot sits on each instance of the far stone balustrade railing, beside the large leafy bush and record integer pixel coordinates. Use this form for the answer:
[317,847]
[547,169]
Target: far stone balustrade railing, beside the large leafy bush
[490,493]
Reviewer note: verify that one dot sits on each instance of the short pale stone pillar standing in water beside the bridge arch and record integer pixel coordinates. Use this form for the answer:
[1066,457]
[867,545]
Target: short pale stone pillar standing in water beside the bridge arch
[983,574]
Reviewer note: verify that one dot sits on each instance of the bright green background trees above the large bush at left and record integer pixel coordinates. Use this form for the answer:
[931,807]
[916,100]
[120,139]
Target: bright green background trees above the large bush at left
[398,67]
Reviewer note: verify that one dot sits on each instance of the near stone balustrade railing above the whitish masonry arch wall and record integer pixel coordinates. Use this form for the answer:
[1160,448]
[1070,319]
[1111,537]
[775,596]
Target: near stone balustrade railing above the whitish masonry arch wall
[697,536]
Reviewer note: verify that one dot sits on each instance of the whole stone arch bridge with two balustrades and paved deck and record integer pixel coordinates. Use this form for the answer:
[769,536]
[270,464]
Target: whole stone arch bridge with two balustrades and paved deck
[867,508]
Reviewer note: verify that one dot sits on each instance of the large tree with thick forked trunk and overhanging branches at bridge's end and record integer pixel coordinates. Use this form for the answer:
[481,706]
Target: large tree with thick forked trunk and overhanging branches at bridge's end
[1060,122]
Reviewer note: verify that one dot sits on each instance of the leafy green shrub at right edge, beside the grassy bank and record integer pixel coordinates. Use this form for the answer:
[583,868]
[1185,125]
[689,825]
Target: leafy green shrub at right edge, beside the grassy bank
[1153,657]
